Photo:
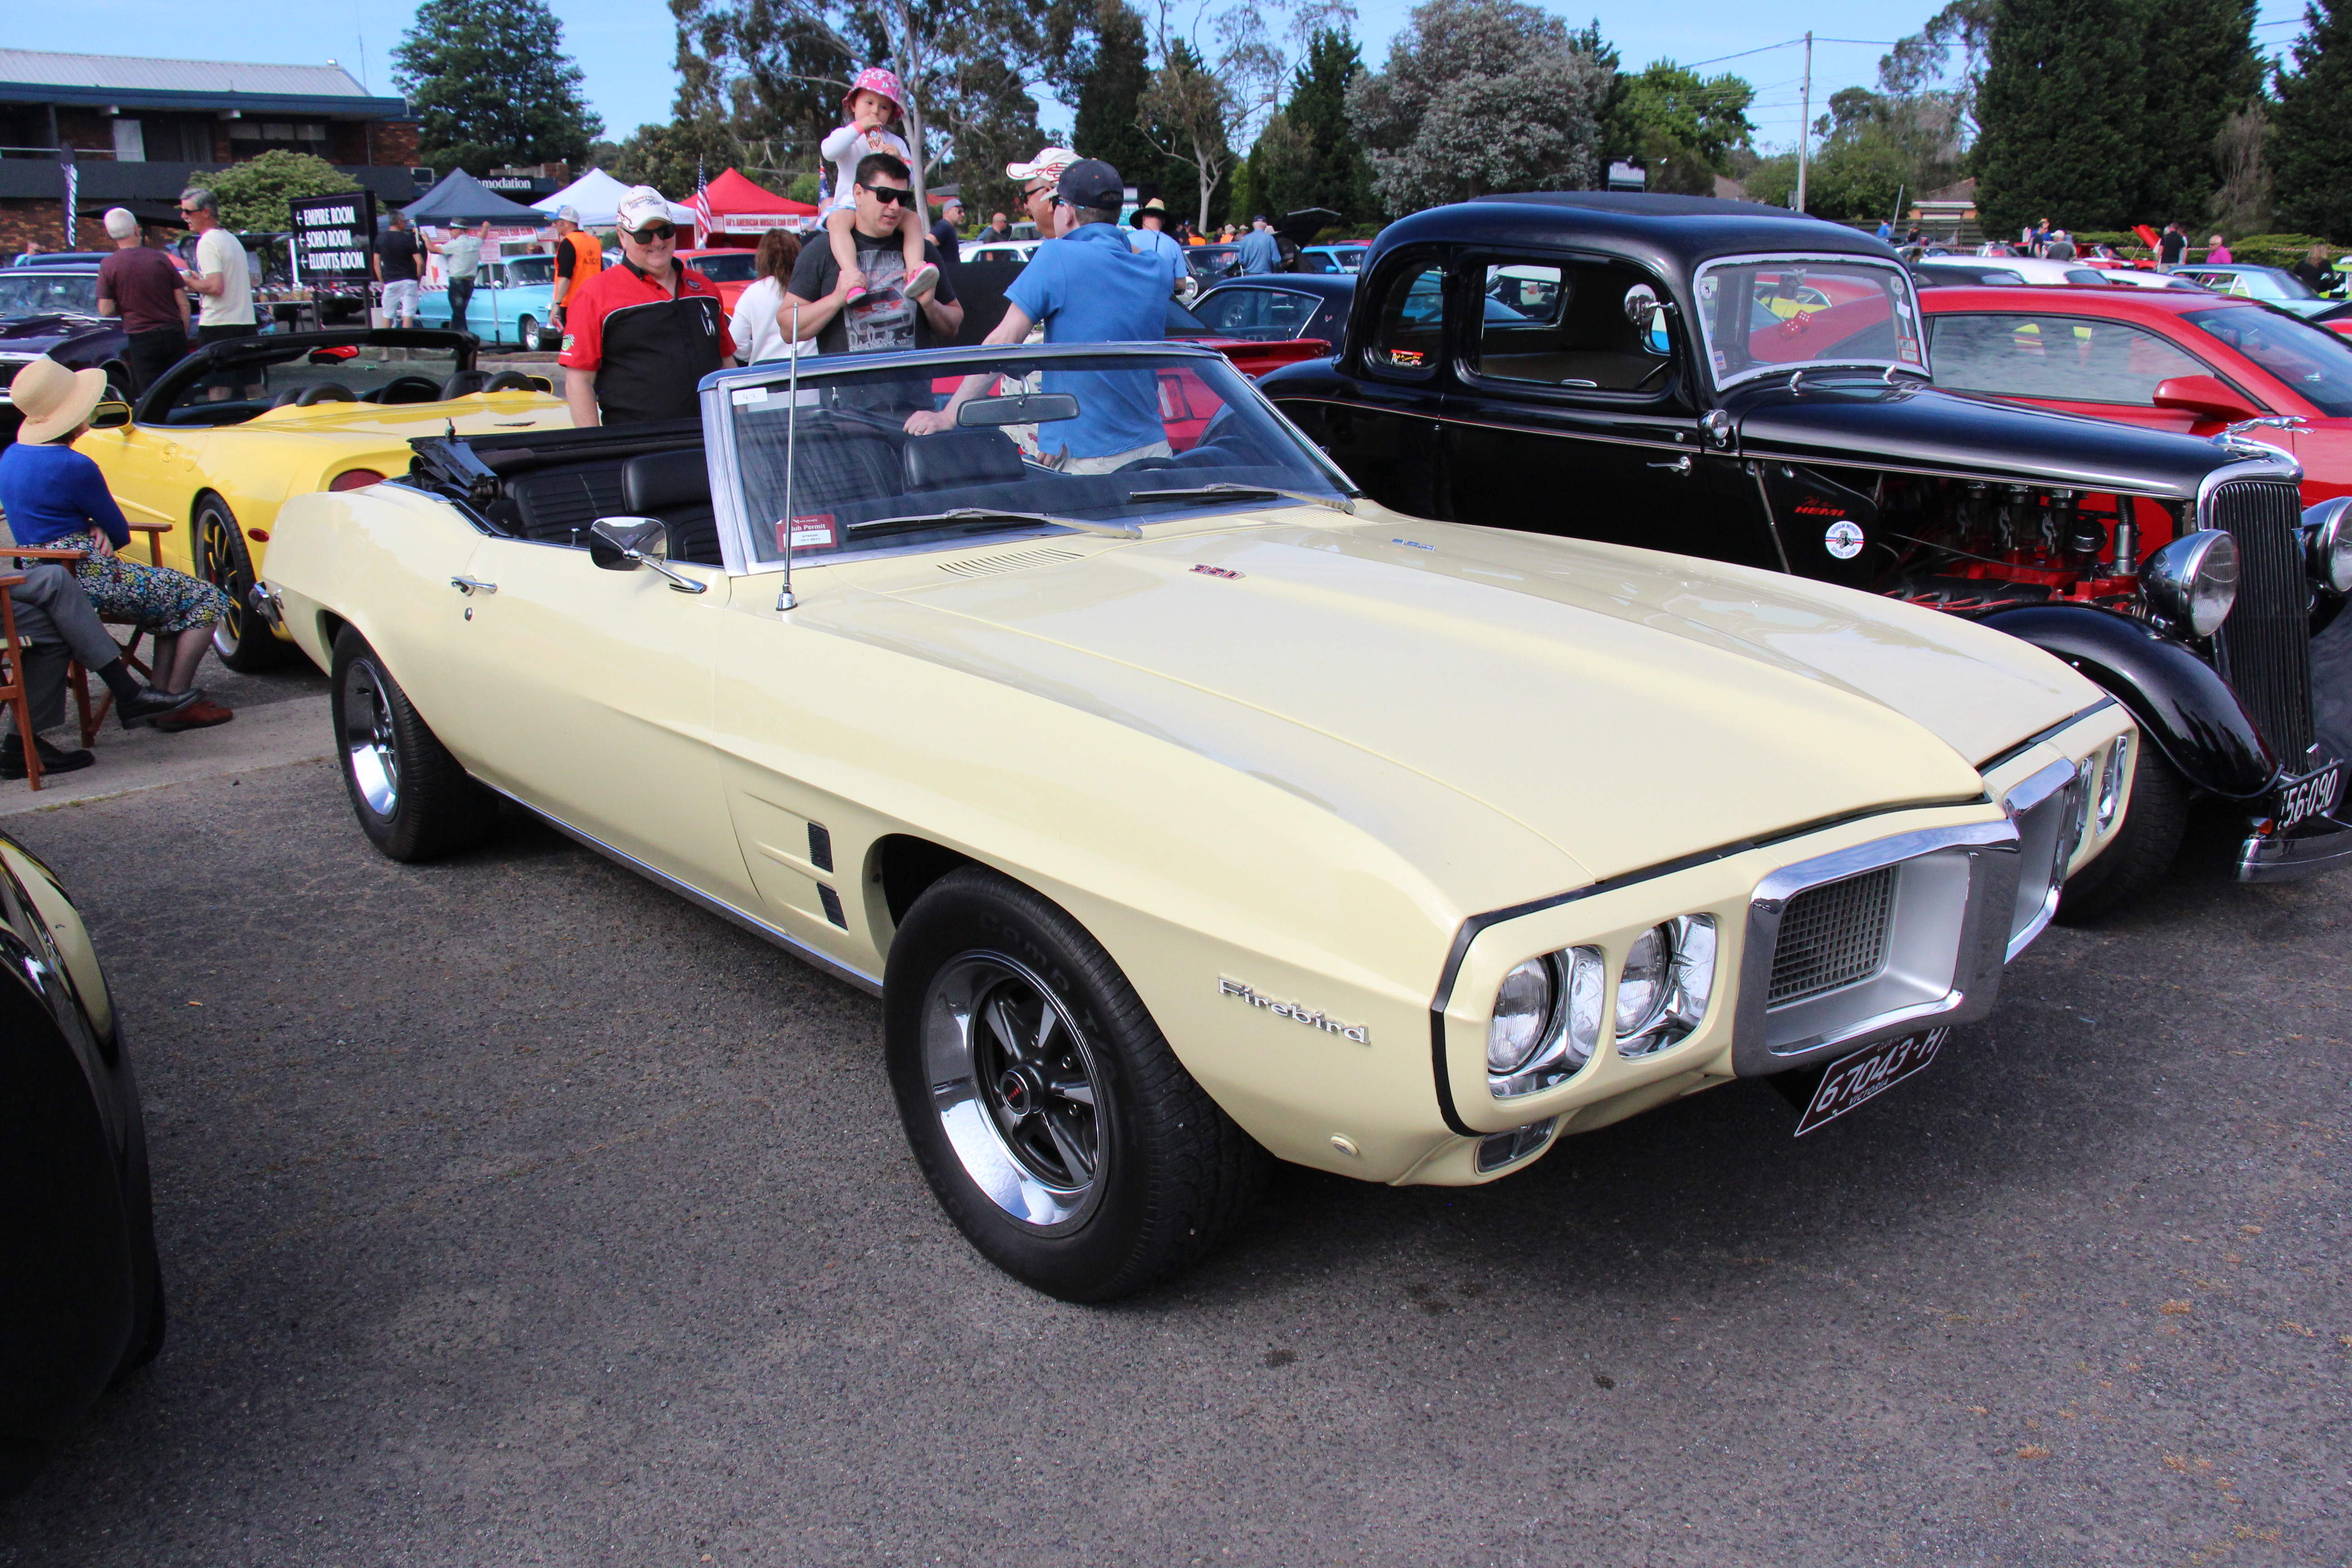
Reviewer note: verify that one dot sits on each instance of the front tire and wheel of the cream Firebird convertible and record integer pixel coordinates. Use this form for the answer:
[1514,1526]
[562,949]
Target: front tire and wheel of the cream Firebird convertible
[1132,1188]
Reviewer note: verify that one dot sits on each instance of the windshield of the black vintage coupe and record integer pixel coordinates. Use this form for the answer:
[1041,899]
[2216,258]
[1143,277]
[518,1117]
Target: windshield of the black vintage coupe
[1777,314]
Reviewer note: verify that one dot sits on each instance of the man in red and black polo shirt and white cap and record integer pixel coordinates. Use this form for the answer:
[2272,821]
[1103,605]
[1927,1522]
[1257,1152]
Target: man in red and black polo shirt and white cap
[641,337]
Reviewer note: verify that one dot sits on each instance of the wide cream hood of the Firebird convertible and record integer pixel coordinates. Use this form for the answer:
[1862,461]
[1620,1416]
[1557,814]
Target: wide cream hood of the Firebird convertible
[1626,706]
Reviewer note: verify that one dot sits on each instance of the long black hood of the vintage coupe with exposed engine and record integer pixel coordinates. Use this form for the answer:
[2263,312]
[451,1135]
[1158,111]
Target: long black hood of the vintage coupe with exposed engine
[1859,422]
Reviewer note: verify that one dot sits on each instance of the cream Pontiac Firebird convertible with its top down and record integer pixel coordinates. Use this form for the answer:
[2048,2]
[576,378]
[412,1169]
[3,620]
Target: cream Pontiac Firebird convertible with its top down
[1184,808]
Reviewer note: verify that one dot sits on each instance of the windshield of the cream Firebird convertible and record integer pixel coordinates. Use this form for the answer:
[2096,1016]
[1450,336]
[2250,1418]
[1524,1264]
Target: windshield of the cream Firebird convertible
[1111,441]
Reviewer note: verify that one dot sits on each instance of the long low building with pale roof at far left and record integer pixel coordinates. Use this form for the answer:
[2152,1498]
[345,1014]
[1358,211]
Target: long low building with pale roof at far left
[142,128]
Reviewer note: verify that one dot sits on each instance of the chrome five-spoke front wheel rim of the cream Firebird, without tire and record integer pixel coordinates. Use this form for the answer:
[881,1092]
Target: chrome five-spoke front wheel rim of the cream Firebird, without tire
[1017,1087]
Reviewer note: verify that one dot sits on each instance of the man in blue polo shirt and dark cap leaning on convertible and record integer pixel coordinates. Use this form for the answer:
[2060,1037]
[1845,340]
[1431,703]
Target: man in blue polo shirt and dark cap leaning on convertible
[1088,288]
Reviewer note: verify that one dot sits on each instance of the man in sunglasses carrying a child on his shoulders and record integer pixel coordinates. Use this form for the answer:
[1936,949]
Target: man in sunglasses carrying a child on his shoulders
[883,319]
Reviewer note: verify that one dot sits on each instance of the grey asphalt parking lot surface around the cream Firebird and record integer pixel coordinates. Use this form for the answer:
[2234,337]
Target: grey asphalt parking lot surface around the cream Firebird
[514,1212]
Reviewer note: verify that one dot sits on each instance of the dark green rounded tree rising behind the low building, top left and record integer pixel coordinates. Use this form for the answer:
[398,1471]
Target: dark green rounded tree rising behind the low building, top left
[493,86]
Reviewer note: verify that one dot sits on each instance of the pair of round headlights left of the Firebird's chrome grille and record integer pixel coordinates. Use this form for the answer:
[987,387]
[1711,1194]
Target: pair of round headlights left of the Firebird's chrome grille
[1549,1012]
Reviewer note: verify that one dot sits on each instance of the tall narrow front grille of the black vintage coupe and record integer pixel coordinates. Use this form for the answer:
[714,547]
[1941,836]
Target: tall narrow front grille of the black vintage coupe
[2266,645]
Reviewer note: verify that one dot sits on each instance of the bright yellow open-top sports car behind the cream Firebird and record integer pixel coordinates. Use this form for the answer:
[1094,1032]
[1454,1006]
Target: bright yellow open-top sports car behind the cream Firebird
[236,429]
